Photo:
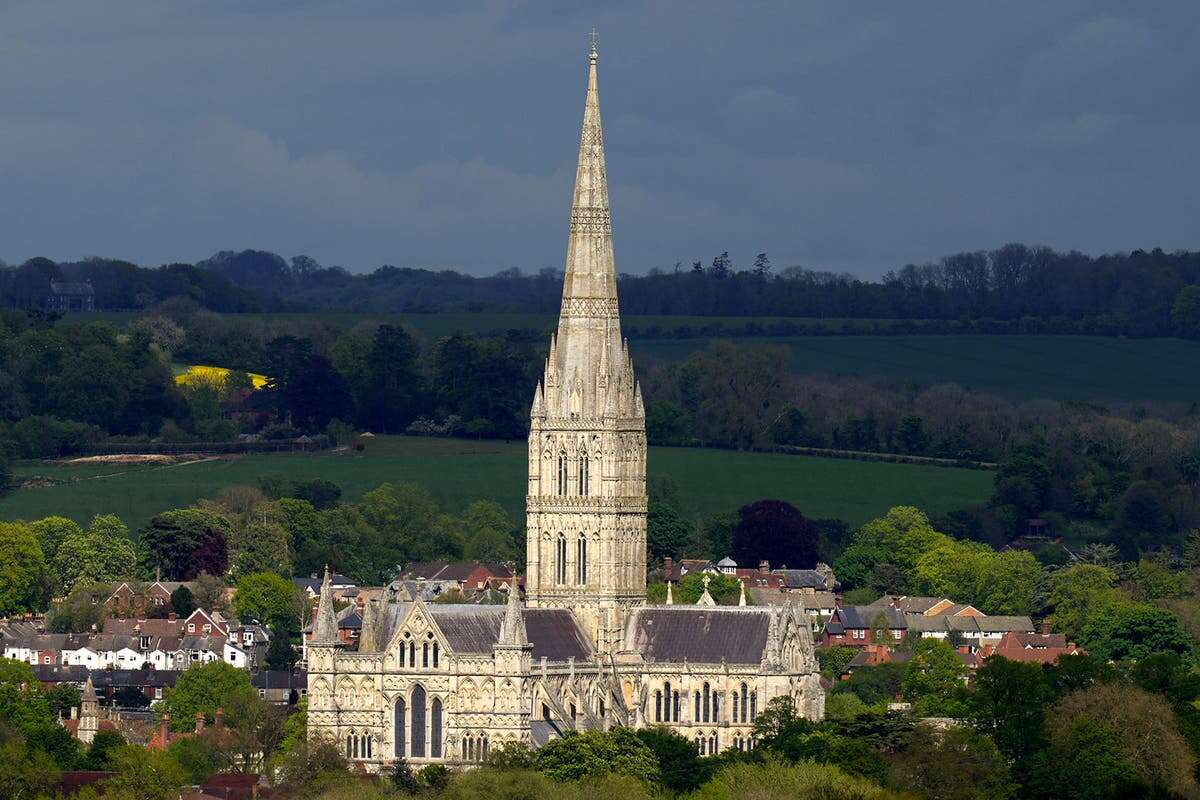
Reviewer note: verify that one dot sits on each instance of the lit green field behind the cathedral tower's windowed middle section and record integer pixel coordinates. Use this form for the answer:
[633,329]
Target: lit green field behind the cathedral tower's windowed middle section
[459,472]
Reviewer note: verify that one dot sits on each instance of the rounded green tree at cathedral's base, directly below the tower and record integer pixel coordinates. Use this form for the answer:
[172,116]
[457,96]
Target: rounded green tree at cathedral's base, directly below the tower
[596,753]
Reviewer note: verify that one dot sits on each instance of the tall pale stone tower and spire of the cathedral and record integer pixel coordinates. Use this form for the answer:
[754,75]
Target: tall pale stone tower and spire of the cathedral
[586,504]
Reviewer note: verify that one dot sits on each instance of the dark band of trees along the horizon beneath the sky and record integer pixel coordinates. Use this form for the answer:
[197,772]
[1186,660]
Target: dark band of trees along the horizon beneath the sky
[1137,293]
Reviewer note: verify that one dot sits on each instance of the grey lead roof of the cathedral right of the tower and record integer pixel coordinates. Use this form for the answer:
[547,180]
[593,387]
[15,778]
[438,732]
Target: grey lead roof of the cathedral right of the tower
[675,634]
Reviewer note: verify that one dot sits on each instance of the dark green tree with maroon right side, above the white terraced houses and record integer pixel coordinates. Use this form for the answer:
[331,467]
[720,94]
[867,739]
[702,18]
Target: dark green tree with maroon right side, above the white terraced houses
[185,543]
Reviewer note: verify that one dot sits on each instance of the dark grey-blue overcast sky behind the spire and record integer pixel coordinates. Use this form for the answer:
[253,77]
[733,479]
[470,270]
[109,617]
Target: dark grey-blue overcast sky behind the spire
[837,136]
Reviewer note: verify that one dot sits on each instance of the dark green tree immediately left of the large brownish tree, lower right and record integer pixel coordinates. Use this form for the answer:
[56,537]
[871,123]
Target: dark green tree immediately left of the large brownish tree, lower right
[1009,703]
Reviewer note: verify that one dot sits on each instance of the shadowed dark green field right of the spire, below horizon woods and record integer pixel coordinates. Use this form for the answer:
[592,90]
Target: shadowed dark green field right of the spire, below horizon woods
[1022,368]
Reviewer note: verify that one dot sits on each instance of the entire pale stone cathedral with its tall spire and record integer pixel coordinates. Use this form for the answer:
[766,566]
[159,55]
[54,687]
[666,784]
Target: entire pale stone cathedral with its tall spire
[435,683]
